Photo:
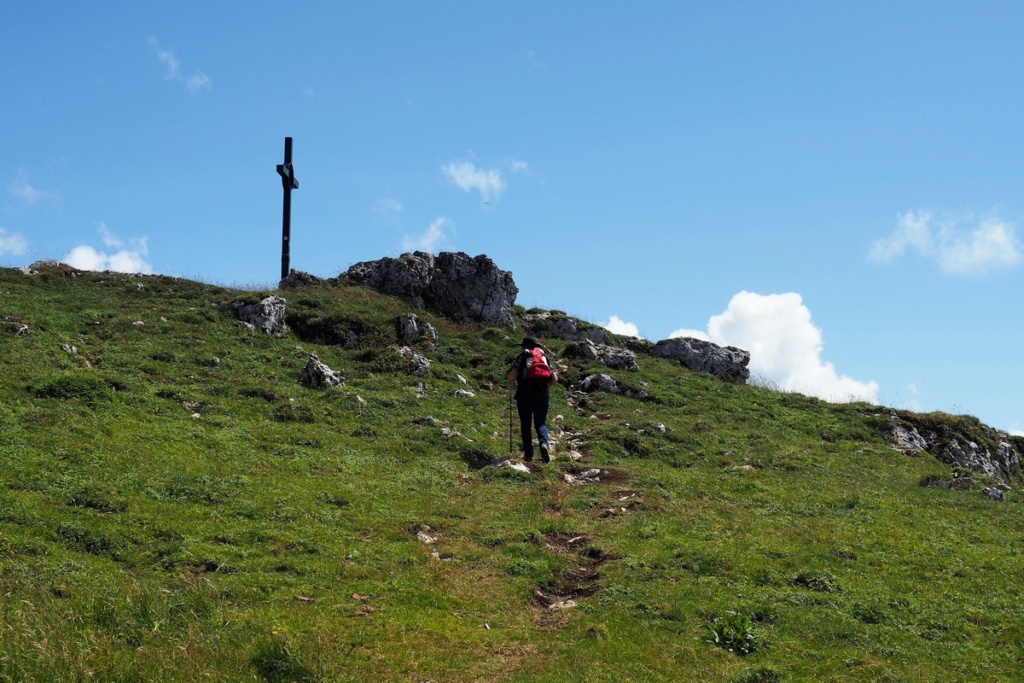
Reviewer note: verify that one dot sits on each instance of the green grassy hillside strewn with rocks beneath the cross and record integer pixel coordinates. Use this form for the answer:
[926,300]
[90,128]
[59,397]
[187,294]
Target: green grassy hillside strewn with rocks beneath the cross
[176,506]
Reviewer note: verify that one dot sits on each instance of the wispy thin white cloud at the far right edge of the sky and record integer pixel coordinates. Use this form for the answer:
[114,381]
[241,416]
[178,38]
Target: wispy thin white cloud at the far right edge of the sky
[960,246]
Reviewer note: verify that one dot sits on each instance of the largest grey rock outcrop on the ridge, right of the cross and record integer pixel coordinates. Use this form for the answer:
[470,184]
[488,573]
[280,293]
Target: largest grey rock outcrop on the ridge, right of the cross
[454,284]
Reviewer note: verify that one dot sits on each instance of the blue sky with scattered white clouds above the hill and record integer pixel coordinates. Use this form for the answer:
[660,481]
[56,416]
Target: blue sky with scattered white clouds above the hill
[836,187]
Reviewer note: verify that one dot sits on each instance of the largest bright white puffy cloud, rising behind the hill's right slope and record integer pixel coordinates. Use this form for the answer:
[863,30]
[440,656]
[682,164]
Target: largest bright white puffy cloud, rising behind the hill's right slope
[786,347]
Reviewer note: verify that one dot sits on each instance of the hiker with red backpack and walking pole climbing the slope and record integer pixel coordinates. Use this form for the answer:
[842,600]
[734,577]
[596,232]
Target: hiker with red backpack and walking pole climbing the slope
[533,376]
